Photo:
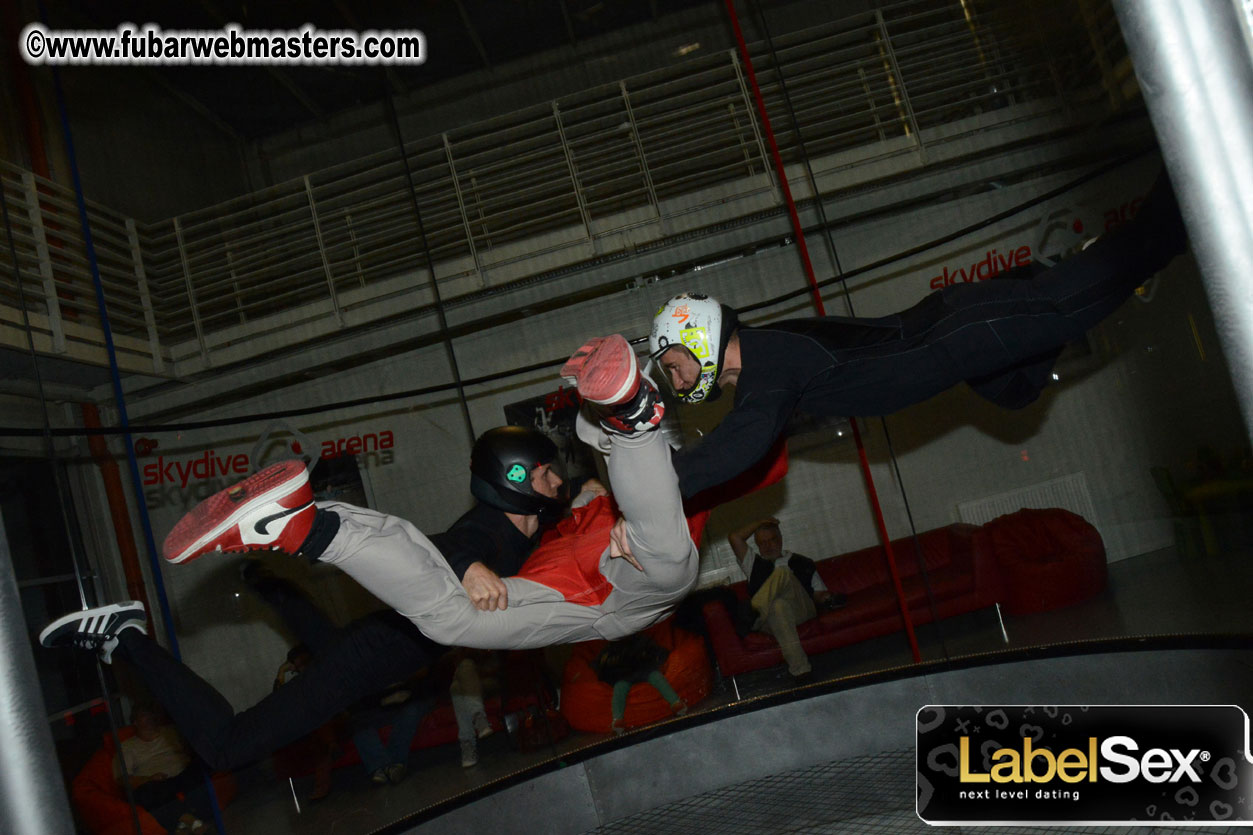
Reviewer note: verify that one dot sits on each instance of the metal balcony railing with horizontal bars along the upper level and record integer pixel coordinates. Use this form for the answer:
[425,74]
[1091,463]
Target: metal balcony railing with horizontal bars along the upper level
[548,185]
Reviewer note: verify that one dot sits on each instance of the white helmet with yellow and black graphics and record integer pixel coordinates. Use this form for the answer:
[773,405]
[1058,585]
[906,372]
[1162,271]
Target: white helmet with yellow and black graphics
[701,325]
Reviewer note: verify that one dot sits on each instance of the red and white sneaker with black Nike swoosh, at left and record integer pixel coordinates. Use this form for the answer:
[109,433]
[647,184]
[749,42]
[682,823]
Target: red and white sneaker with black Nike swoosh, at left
[269,511]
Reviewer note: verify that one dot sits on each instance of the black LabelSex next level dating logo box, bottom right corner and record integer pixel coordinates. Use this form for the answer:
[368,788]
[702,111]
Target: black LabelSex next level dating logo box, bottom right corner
[1101,765]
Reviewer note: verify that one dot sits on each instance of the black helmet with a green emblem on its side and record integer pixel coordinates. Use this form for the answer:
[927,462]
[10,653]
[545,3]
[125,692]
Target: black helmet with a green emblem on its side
[501,470]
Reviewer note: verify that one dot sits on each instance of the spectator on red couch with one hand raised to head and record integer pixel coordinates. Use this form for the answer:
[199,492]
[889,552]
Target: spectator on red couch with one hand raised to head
[785,589]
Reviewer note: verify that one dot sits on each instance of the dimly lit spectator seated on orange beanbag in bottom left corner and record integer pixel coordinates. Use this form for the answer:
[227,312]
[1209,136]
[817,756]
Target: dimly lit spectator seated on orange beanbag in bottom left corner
[161,773]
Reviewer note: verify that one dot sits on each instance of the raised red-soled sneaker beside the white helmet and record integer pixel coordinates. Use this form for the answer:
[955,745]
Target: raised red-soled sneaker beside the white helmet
[606,373]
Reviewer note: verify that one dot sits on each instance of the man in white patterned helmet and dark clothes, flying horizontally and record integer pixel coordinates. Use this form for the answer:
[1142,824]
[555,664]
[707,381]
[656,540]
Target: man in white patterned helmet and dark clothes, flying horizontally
[1001,337]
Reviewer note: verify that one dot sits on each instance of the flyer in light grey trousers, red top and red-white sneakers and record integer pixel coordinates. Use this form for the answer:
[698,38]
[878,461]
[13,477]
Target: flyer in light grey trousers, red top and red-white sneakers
[612,569]
